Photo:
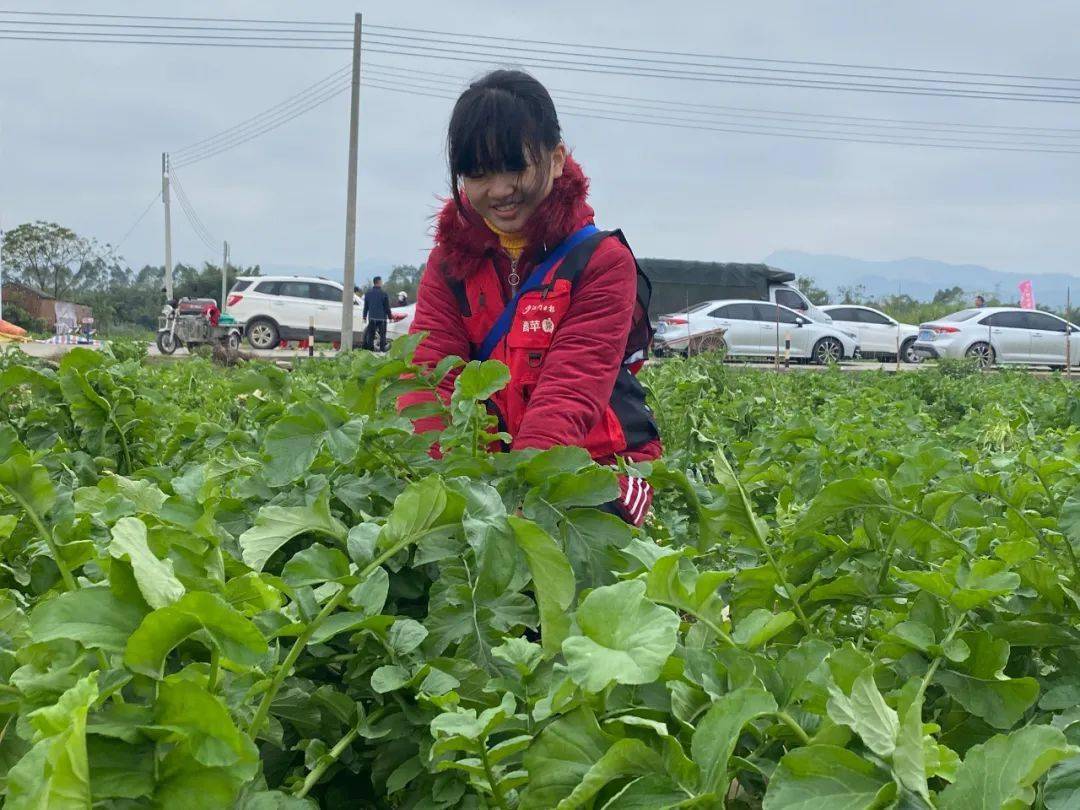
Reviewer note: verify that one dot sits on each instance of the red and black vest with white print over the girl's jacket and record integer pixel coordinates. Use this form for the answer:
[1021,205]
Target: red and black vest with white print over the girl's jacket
[627,423]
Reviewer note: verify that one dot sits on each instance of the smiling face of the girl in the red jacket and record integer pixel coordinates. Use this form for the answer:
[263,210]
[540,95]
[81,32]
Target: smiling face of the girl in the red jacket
[508,199]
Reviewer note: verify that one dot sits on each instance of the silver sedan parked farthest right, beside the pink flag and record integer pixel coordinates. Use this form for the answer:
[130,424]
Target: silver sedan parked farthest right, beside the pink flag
[1002,335]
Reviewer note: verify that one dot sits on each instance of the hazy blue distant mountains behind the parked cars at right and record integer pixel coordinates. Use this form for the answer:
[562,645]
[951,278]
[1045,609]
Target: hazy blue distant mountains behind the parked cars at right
[922,278]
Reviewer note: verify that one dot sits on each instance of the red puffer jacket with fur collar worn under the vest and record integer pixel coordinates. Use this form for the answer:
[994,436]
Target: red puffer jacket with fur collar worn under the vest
[587,352]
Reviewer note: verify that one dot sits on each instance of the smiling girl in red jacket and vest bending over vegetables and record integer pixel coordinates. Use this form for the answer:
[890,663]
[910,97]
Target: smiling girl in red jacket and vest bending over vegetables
[520,274]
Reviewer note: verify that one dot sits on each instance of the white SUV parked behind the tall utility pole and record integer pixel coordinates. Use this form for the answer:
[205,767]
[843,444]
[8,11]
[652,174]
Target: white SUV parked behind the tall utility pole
[276,308]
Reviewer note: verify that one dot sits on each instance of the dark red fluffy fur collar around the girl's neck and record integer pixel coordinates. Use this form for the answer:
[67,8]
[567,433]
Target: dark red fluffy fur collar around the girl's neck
[466,241]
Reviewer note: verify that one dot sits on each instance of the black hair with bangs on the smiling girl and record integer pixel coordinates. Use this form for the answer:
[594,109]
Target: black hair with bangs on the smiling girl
[506,121]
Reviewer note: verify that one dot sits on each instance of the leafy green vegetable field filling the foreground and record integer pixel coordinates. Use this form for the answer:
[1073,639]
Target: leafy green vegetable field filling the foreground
[253,589]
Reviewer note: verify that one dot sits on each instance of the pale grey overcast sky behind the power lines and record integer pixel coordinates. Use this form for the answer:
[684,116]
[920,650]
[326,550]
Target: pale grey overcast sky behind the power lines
[83,128]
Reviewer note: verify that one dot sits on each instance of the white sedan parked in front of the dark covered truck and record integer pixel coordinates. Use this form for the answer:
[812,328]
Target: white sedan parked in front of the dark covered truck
[750,330]
